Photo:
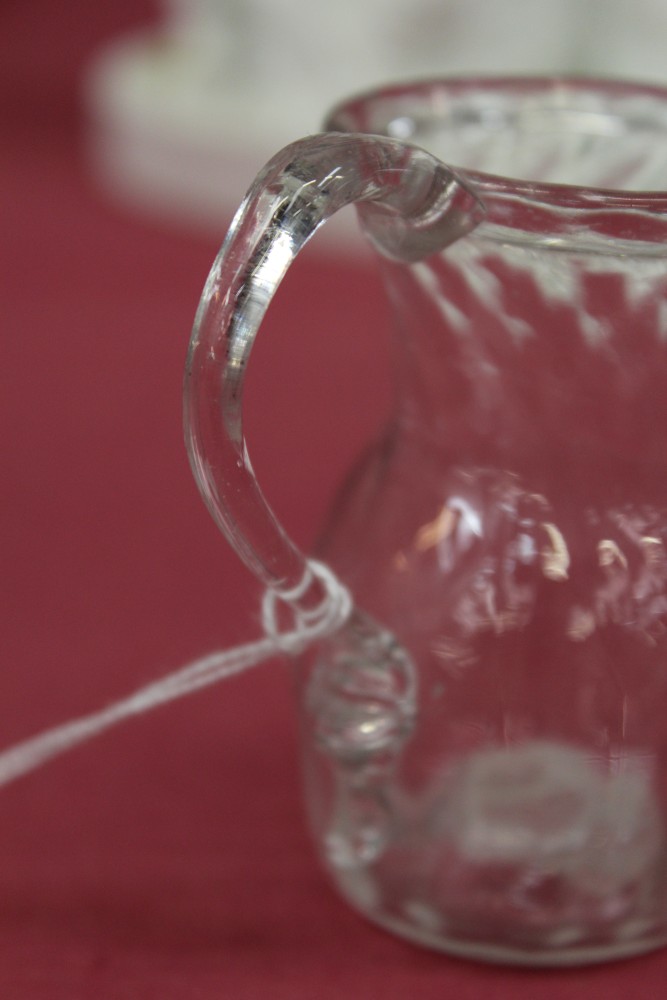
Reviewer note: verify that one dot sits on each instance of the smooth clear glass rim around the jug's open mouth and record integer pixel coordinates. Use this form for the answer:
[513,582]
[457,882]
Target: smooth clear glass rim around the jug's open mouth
[436,94]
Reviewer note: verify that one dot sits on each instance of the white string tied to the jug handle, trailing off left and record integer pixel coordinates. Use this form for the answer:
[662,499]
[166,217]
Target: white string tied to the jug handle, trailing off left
[323,620]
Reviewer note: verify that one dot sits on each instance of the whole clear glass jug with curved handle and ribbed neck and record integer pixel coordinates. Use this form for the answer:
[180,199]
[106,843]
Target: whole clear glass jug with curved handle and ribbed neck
[485,742]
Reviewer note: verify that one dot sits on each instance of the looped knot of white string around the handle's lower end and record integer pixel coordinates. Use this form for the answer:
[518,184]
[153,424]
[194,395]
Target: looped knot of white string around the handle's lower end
[314,623]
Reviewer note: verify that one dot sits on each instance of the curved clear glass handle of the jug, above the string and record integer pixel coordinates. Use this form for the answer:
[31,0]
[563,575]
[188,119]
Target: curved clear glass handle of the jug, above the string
[411,206]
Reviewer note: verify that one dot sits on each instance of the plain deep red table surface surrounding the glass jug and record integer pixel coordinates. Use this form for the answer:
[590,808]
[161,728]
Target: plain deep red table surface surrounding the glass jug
[168,859]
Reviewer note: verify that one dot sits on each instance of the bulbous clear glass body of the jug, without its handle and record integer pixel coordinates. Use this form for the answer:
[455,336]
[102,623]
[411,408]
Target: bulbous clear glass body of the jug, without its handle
[511,529]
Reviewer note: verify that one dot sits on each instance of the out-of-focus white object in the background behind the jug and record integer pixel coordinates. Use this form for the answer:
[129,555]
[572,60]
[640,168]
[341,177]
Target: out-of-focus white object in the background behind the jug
[184,115]
